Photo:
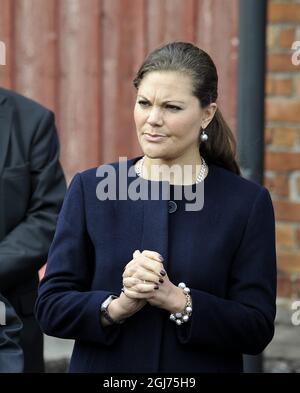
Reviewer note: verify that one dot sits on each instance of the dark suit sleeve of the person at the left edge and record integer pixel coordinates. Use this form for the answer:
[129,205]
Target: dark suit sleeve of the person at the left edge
[24,250]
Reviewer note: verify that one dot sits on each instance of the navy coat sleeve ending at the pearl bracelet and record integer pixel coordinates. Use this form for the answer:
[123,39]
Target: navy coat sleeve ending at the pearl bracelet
[244,321]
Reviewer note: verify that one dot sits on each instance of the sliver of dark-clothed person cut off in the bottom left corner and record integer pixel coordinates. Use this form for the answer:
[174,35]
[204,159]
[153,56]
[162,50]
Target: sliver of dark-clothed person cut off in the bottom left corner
[11,354]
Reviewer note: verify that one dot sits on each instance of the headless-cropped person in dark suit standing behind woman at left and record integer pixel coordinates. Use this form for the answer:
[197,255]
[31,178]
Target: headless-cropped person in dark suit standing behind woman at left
[32,187]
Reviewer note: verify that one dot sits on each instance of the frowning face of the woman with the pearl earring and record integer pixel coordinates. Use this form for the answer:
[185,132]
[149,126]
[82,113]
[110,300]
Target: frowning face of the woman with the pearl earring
[168,116]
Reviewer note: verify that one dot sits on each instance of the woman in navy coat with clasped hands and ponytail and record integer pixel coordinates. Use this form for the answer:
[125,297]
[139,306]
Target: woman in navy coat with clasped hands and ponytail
[147,284]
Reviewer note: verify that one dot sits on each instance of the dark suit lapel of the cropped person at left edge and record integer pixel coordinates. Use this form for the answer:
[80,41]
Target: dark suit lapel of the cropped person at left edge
[6,113]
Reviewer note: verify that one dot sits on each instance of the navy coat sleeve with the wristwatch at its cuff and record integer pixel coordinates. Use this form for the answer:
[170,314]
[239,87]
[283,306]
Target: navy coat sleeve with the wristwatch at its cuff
[66,307]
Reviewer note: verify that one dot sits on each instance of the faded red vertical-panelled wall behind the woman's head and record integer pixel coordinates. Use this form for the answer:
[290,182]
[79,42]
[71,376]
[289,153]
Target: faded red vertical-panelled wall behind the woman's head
[79,58]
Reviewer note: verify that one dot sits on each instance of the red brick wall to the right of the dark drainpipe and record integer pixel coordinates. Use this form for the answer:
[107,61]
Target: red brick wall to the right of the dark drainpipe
[282,158]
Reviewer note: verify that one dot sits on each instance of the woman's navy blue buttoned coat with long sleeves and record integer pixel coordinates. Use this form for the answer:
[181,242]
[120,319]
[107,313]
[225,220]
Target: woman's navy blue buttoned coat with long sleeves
[230,267]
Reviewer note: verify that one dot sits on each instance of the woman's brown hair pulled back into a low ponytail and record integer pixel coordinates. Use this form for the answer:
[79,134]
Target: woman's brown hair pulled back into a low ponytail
[220,148]
